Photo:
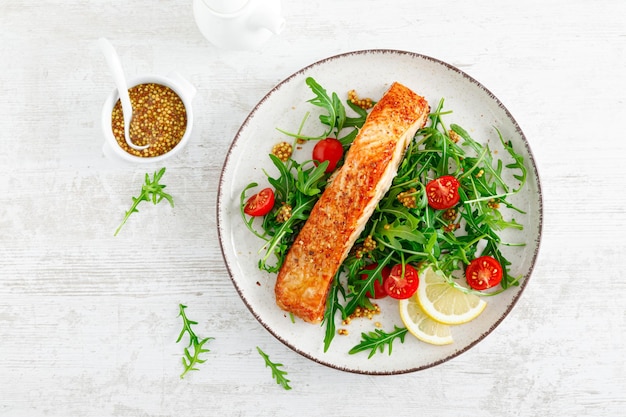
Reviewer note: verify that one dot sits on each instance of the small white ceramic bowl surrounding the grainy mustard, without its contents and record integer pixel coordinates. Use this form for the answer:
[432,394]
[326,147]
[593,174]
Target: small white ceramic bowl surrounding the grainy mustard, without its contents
[183,88]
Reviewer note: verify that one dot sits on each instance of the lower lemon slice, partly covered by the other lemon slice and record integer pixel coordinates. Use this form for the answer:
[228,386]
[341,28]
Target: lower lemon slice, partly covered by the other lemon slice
[421,326]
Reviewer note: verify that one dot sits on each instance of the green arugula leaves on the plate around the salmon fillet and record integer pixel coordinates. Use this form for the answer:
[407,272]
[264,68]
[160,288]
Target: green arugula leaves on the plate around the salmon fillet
[404,228]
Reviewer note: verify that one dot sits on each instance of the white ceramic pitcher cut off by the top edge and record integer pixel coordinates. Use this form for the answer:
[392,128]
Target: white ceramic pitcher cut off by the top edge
[238,24]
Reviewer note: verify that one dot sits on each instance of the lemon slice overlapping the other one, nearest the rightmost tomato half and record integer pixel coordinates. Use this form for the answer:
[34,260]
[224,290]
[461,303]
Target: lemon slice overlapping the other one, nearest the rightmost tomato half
[444,303]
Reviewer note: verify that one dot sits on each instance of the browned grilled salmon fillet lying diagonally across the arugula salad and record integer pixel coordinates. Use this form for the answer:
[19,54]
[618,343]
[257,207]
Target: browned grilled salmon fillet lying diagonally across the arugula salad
[340,215]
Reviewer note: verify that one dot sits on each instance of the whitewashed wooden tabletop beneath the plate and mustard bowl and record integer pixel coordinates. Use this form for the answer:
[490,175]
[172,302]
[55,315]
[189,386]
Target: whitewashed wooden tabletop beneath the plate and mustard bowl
[88,321]
